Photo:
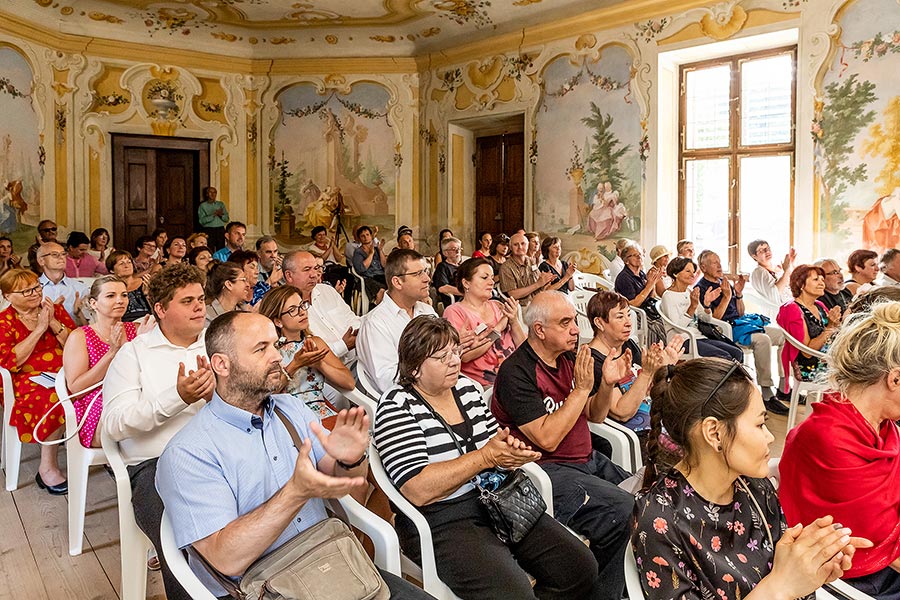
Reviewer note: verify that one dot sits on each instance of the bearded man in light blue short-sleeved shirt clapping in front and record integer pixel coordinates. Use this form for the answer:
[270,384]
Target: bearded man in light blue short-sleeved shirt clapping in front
[231,514]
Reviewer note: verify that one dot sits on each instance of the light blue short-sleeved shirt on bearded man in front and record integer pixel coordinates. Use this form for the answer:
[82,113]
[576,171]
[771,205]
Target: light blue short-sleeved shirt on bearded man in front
[225,463]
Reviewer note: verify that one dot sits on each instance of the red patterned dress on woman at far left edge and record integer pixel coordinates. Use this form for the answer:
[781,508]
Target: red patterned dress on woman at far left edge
[32,400]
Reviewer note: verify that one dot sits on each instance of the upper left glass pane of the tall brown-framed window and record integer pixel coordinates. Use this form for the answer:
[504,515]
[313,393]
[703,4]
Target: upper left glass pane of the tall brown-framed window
[706,102]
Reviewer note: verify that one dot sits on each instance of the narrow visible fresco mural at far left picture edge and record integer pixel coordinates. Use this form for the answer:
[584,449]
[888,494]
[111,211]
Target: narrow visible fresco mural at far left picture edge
[21,155]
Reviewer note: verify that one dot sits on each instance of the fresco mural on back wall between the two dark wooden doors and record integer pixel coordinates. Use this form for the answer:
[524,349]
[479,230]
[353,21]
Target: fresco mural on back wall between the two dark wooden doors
[330,160]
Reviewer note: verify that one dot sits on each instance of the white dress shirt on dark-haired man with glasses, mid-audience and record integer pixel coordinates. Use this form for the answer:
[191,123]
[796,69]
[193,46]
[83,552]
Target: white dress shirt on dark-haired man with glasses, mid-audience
[379,337]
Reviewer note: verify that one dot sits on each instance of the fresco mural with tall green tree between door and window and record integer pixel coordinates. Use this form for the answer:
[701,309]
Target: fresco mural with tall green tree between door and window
[588,176]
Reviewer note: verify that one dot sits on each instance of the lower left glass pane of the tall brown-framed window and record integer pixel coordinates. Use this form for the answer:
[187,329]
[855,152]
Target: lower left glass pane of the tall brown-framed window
[706,206]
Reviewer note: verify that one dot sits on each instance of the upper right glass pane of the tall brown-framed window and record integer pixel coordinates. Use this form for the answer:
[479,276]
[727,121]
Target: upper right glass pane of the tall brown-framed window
[766,100]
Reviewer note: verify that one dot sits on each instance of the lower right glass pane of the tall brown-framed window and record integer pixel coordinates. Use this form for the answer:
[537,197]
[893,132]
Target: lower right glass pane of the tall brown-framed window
[766,205]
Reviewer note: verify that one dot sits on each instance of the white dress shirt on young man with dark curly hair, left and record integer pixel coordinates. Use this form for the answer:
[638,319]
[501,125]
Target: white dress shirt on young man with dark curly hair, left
[141,406]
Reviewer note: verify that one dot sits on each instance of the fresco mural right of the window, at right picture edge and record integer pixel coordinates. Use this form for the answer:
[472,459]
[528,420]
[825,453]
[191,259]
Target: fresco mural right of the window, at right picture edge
[855,133]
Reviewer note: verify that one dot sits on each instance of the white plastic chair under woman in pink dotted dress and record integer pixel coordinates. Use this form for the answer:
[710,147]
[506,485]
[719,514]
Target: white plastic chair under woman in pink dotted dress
[78,462]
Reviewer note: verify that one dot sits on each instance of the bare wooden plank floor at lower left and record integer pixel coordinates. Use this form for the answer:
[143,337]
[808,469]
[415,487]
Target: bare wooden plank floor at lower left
[34,542]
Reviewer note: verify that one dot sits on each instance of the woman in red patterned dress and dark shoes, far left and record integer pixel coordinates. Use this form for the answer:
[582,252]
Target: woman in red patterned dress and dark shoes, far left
[32,332]
